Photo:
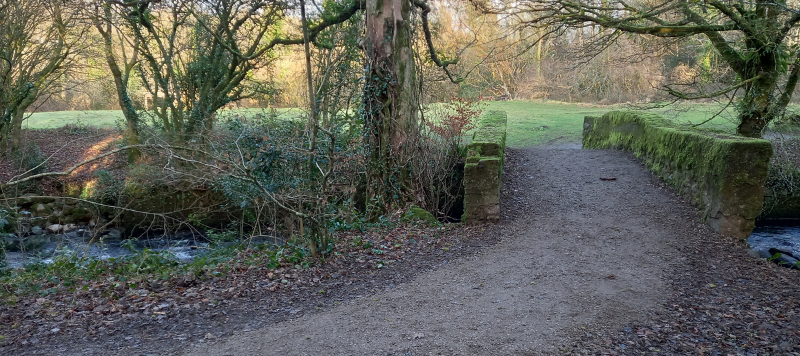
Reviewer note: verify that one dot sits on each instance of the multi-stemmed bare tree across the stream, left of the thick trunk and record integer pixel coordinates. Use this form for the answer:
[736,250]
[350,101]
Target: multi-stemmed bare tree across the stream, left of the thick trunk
[199,55]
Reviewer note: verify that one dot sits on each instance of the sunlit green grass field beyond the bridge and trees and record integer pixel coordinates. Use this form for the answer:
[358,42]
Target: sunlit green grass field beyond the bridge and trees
[530,123]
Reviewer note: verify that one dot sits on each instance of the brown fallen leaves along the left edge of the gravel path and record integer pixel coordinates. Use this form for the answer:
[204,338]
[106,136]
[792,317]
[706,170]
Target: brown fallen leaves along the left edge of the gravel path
[106,310]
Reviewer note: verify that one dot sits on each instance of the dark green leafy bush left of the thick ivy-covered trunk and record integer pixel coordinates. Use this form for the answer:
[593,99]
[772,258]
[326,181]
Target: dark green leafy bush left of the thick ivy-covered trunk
[279,180]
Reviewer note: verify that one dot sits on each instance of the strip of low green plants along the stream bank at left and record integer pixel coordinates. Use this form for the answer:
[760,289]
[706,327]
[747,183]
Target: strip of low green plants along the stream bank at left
[70,271]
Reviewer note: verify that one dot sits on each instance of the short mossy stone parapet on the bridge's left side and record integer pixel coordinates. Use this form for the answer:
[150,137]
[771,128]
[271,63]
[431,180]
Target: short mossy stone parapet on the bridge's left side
[484,169]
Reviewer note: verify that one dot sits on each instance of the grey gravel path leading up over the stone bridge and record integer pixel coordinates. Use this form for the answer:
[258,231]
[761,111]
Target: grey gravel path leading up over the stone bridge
[578,254]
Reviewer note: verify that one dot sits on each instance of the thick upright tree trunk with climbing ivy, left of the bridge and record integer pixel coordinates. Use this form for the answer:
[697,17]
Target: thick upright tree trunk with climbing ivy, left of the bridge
[390,102]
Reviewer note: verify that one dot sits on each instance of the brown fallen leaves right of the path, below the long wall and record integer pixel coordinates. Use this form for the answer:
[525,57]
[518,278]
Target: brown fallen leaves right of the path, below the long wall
[751,307]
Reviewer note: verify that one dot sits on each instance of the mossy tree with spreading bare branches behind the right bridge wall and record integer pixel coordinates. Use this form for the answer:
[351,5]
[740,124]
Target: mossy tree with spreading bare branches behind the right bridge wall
[753,38]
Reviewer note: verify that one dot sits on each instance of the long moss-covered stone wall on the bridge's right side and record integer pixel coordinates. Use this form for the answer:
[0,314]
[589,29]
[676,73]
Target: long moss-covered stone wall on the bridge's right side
[722,174]
